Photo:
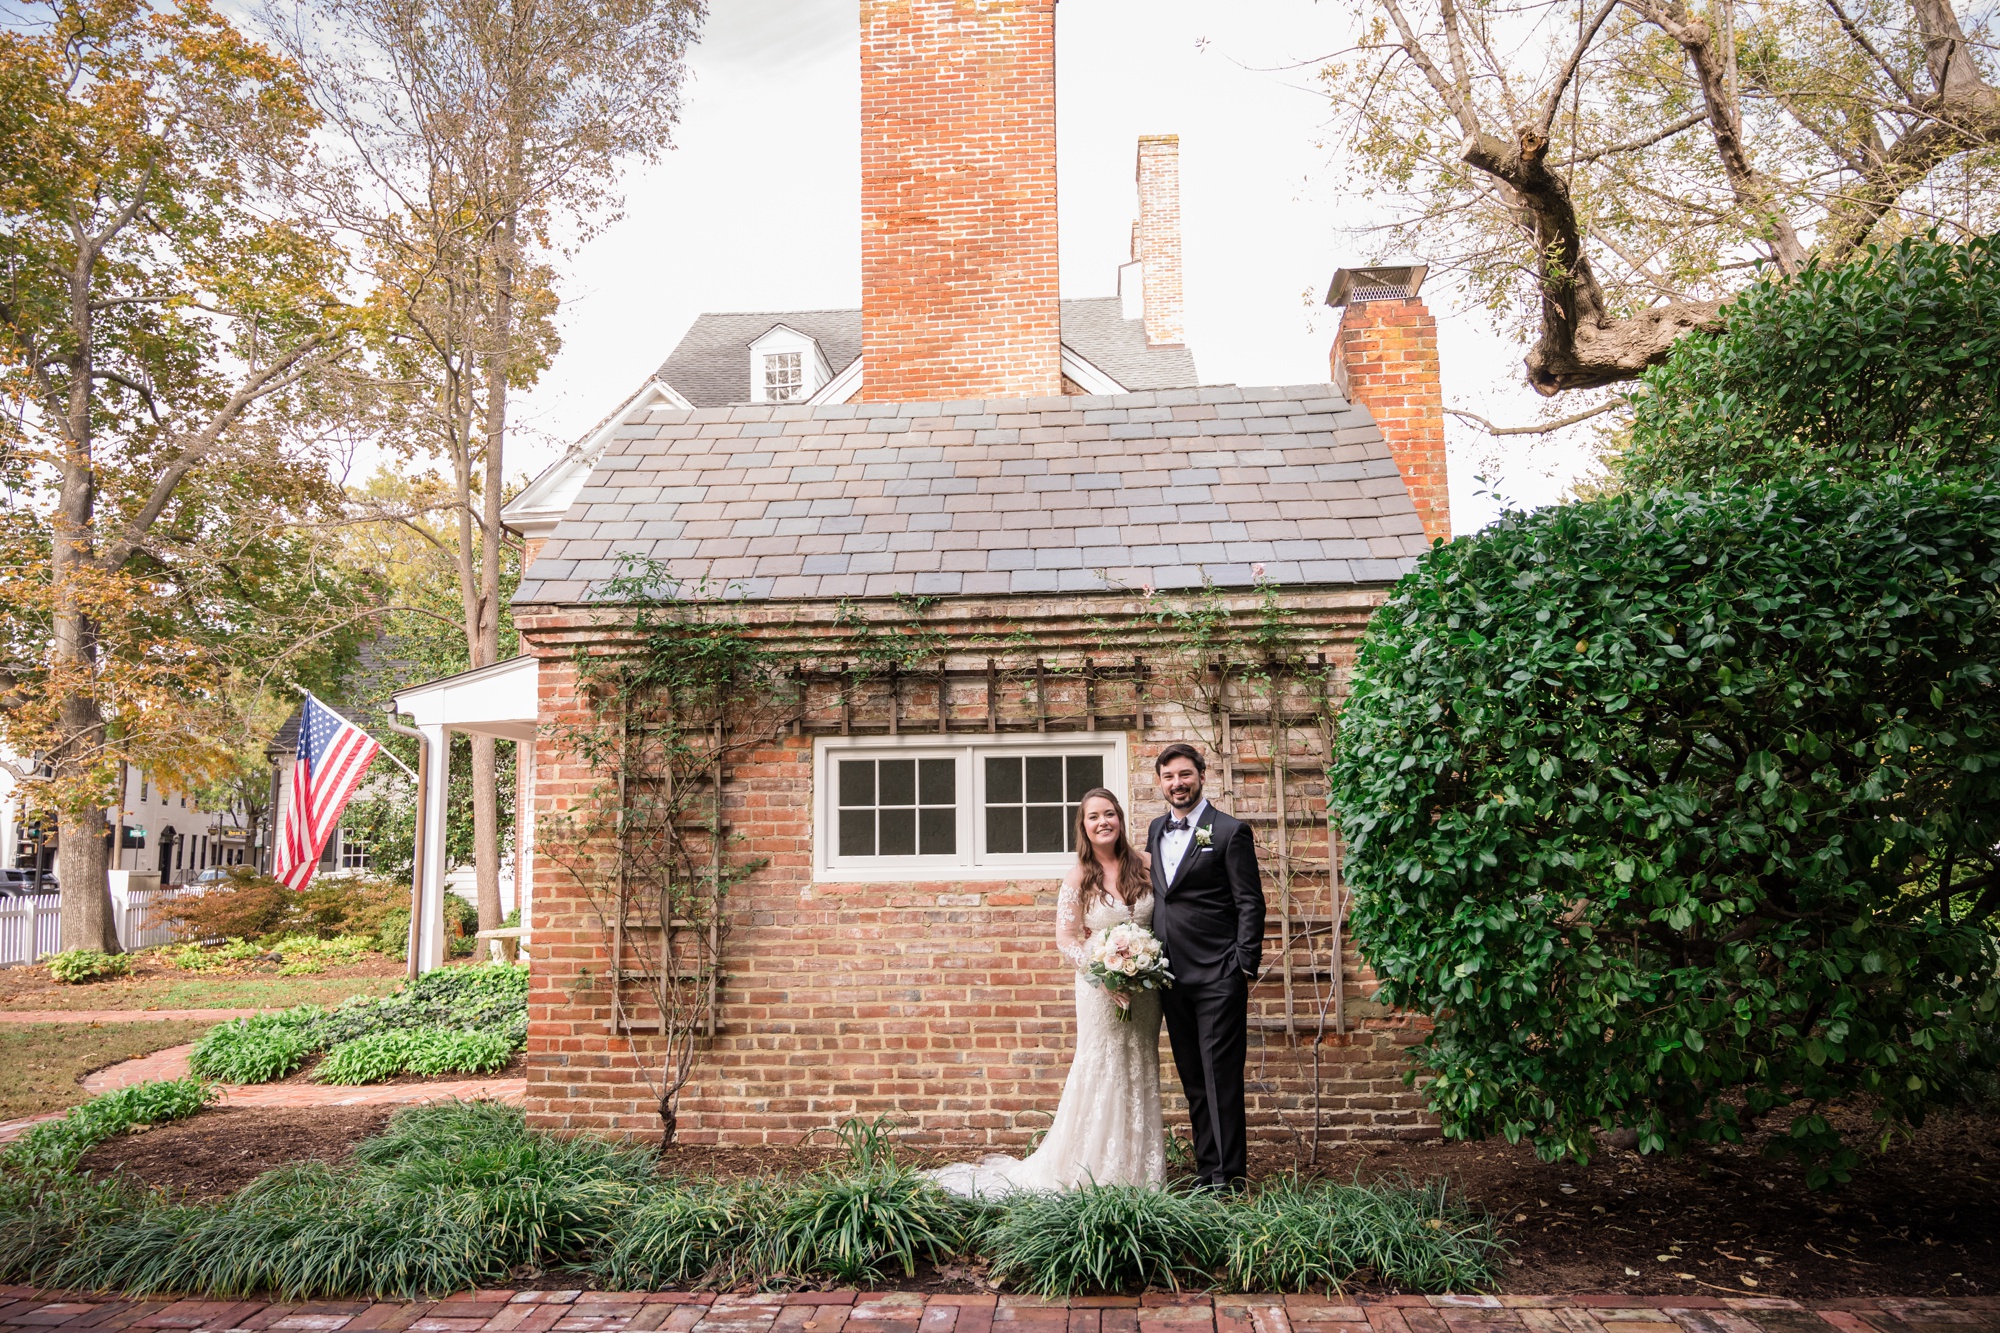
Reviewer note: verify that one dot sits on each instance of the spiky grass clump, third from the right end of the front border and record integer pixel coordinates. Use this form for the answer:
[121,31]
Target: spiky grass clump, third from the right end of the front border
[855,1226]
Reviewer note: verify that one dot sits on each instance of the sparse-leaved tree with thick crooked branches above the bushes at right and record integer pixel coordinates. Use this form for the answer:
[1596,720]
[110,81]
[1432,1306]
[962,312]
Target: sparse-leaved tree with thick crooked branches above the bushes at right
[1607,173]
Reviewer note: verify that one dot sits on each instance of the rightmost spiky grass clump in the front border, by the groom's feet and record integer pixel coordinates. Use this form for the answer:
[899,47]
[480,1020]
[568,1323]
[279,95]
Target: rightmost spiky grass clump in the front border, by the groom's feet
[1303,1238]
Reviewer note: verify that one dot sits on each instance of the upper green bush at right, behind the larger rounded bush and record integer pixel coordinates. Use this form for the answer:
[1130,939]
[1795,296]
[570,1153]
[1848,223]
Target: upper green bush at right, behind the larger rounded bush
[1891,363]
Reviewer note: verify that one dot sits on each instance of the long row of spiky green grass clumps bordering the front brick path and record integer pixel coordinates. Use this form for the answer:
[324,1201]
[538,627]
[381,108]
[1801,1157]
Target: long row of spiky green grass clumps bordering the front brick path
[459,1196]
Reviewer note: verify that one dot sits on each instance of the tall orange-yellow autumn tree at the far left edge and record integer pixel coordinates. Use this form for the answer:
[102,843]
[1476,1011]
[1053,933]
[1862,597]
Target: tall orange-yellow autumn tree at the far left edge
[167,317]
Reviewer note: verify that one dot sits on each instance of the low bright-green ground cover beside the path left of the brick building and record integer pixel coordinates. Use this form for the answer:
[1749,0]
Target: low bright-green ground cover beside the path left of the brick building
[459,1020]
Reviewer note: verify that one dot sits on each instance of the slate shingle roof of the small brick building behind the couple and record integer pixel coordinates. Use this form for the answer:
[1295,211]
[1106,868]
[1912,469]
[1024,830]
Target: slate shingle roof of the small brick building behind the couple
[991,497]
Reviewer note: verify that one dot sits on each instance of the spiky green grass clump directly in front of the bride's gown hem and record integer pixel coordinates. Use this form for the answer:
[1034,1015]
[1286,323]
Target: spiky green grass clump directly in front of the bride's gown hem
[1109,1238]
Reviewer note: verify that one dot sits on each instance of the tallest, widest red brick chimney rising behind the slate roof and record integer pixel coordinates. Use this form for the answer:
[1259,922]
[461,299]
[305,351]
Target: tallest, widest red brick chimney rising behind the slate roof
[959,201]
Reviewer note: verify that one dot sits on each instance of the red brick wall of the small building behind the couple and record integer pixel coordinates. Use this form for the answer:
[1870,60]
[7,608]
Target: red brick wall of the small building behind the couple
[939,1004]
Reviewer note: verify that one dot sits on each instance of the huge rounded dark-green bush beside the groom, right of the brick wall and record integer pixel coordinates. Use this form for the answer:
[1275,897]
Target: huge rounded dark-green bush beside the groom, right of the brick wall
[1675,812]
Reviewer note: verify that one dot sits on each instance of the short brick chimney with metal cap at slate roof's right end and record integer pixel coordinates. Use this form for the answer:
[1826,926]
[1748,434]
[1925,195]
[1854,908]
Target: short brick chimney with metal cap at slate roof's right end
[1387,359]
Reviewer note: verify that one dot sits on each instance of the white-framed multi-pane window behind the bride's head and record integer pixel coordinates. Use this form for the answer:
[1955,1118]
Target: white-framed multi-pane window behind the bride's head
[915,808]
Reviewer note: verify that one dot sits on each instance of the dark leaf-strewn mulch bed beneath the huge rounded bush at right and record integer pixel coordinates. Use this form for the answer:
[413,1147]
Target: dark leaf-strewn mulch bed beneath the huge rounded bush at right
[1919,1220]
